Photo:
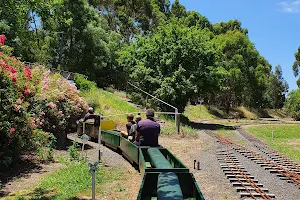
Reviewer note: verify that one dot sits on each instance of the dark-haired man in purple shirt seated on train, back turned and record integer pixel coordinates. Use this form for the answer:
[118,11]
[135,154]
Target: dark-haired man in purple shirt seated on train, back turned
[148,130]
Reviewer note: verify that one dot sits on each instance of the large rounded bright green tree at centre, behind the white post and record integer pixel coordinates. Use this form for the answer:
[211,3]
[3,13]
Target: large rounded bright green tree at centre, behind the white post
[172,64]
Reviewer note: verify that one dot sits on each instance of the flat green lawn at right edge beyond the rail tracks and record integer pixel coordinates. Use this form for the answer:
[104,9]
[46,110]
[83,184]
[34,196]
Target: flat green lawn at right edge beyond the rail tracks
[286,138]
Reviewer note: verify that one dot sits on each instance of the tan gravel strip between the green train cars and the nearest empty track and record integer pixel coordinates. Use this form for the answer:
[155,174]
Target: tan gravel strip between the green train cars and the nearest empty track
[210,178]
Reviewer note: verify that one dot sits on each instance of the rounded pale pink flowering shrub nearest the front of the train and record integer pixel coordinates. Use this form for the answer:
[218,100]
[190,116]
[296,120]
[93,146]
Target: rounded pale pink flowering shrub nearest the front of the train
[57,104]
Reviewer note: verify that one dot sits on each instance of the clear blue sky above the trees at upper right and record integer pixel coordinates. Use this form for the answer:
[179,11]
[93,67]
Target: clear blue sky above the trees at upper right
[273,26]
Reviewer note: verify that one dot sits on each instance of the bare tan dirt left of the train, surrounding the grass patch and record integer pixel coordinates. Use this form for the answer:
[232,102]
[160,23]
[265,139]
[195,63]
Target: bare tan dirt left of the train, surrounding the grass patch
[29,174]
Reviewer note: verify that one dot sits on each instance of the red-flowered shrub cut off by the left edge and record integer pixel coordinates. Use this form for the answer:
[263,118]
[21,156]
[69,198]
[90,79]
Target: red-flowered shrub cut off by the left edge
[17,89]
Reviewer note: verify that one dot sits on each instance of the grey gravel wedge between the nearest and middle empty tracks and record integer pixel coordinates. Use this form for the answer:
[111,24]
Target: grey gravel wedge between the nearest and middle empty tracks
[281,188]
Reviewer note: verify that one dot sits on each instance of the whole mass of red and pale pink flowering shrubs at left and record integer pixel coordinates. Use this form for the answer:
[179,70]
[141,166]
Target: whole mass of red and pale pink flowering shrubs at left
[32,100]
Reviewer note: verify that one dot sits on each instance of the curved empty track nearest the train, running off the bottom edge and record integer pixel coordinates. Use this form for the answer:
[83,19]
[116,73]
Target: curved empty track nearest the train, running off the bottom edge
[245,184]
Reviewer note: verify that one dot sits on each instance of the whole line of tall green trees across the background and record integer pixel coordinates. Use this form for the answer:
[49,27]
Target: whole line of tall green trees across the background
[175,54]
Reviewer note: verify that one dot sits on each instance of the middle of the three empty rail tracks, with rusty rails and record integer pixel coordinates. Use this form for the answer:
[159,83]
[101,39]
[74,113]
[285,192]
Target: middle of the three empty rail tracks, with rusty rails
[270,165]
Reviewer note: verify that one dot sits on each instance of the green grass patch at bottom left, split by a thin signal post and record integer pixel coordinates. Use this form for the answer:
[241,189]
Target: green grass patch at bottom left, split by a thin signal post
[68,182]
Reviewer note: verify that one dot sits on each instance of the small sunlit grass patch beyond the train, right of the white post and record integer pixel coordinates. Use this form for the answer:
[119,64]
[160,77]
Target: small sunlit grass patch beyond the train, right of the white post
[198,112]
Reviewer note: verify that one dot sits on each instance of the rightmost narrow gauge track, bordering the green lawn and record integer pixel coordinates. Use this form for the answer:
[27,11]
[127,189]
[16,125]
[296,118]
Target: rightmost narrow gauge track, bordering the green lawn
[277,157]
